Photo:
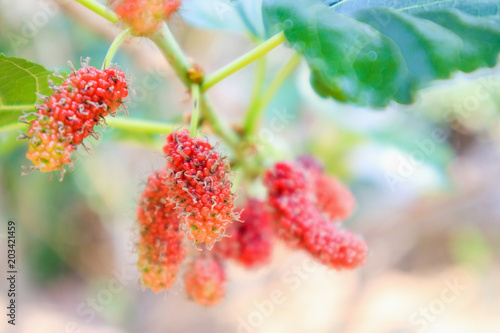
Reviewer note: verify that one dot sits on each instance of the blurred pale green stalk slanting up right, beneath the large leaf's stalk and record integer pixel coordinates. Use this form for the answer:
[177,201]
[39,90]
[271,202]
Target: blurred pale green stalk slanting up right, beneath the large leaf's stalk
[255,114]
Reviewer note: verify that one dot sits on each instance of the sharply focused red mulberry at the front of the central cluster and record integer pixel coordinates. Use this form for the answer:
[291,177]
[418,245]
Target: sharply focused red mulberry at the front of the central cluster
[200,187]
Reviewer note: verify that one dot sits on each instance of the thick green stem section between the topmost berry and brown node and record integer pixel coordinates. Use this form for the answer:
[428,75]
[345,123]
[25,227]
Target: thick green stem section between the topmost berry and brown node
[173,53]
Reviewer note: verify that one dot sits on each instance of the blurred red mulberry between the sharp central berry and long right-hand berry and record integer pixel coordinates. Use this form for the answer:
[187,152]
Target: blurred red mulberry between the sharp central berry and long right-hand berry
[250,242]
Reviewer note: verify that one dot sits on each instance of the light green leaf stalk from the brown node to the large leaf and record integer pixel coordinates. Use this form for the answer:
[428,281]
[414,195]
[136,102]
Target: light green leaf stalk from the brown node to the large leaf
[243,61]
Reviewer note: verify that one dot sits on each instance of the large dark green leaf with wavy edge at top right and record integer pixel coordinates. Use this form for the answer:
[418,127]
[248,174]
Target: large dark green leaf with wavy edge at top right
[376,55]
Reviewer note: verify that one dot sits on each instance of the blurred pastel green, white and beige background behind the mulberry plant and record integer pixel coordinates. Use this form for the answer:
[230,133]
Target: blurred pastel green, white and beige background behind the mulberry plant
[426,178]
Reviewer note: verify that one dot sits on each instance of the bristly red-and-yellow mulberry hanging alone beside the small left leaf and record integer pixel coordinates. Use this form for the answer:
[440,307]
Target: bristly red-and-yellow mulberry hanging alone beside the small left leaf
[70,114]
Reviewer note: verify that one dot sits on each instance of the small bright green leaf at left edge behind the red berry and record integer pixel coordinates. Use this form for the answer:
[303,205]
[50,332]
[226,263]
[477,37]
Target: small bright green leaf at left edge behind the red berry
[20,79]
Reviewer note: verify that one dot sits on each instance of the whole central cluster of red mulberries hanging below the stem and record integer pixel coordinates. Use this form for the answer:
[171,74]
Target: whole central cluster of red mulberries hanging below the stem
[193,194]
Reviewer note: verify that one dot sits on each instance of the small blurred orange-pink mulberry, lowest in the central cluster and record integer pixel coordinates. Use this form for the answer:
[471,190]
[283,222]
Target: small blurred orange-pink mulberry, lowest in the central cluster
[206,280]
